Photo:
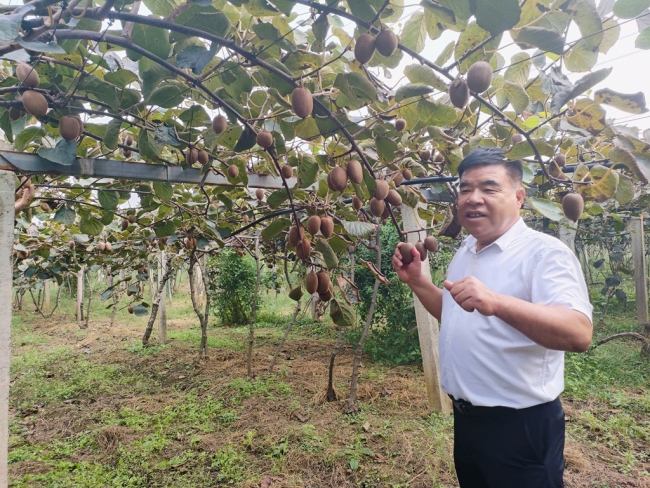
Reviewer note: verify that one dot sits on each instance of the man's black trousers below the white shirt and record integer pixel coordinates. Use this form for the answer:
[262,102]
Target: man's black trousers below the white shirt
[507,448]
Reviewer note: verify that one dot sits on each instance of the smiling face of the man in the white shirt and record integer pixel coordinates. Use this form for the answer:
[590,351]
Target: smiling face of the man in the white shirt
[488,202]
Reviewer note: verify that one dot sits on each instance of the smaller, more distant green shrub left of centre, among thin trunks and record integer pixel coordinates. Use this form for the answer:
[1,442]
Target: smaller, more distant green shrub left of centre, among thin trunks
[232,286]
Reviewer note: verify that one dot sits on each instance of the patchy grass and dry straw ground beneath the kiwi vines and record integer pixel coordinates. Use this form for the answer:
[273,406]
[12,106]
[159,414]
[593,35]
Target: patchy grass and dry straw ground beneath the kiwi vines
[94,408]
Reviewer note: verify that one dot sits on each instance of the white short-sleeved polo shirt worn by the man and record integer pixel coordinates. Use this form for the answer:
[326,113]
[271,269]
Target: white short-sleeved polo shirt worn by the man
[484,360]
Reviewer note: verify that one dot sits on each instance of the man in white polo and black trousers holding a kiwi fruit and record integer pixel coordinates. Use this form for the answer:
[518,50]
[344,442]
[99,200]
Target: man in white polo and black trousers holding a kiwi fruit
[513,302]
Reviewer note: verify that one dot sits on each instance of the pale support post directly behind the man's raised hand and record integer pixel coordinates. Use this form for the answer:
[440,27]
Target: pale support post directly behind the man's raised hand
[428,328]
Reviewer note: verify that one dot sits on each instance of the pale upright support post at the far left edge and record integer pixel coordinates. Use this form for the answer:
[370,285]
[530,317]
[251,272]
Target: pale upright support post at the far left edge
[7,190]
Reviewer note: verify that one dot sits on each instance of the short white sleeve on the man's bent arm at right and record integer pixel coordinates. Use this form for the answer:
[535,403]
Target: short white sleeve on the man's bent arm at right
[557,279]
